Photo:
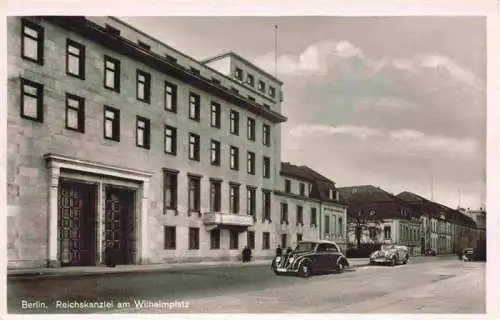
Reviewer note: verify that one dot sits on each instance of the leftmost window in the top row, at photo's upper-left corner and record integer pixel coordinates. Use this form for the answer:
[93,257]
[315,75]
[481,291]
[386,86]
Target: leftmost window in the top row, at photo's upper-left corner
[32,41]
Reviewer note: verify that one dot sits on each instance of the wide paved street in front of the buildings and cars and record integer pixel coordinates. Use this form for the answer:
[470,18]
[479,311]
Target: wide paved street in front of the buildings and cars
[428,285]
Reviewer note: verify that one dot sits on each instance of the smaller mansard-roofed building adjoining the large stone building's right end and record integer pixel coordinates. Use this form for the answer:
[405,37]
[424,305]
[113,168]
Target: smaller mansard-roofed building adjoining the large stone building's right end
[310,207]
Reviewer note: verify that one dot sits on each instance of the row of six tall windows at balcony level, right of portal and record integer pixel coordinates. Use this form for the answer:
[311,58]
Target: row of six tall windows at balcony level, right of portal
[170,195]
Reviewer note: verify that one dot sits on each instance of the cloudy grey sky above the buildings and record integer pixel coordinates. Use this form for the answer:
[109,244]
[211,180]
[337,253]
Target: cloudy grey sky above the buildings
[394,102]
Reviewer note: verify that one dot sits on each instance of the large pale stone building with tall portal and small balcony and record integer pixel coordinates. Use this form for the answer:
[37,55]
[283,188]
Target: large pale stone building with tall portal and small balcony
[116,139]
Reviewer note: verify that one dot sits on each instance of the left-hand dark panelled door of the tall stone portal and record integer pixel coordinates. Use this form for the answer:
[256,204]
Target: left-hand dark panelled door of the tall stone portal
[77,230]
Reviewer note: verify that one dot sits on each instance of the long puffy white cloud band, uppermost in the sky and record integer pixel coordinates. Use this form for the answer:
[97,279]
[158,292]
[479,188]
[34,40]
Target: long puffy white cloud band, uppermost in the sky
[318,58]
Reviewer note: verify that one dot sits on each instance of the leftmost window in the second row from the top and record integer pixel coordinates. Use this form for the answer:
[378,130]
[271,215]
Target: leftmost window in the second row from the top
[31,100]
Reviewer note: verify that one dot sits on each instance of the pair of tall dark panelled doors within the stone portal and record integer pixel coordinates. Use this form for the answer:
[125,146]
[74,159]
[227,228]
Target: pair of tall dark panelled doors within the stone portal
[79,224]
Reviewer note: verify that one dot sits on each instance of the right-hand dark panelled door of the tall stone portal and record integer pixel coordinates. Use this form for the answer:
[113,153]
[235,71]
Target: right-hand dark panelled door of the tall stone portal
[120,224]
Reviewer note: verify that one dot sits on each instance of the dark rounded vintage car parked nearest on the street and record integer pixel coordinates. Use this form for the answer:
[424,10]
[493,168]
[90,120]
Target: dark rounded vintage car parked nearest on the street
[310,257]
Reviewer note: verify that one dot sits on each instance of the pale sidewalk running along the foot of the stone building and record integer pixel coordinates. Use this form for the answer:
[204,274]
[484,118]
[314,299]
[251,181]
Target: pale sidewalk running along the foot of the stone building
[37,273]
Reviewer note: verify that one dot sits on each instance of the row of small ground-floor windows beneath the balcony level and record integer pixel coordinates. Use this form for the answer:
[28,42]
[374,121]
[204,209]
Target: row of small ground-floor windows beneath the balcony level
[170,239]
